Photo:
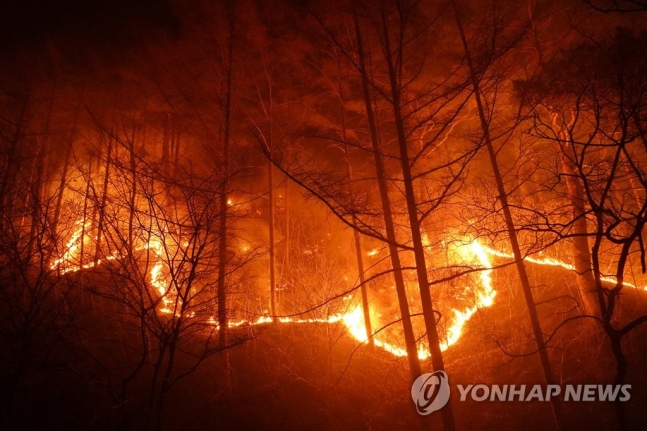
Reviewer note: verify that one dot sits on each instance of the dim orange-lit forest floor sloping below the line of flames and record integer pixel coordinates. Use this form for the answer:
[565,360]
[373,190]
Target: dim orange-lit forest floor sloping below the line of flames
[315,377]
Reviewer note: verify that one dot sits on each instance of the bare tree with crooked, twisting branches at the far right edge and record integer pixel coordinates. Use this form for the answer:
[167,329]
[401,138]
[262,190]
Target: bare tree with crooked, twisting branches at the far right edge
[599,106]
